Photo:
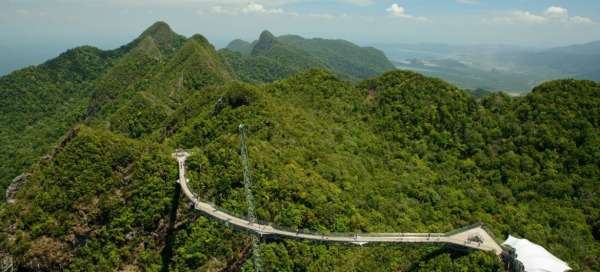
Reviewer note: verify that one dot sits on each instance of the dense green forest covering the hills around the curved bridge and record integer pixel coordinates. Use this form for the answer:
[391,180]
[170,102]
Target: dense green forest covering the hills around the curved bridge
[399,152]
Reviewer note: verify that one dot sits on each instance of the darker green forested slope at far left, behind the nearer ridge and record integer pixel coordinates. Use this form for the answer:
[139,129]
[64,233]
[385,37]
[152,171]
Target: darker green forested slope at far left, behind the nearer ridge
[38,104]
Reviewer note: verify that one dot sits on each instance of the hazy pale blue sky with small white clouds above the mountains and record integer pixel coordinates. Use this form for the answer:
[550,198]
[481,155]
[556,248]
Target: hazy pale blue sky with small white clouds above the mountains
[46,27]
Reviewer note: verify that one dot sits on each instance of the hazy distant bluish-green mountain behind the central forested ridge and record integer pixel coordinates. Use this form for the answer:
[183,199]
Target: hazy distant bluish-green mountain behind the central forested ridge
[271,58]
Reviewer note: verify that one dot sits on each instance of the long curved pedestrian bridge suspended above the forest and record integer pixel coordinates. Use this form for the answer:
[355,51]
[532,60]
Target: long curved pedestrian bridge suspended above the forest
[474,236]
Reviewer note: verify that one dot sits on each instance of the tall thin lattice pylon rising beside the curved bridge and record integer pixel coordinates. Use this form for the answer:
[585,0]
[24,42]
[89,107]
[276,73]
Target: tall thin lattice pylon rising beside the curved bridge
[250,199]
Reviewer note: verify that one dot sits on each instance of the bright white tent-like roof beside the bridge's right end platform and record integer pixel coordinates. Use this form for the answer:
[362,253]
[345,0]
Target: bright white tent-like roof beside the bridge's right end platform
[535,258]
